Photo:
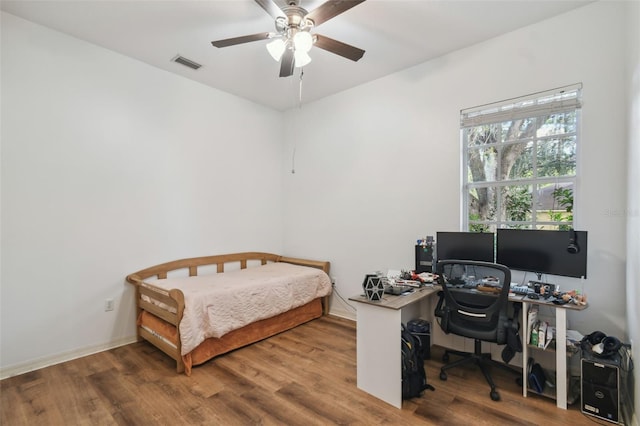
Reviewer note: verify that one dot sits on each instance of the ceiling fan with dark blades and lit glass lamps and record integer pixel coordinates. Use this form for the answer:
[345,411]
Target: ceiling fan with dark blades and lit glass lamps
[293,39]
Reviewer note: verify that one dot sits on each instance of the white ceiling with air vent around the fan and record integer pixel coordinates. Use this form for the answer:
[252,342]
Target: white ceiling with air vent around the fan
[395,34]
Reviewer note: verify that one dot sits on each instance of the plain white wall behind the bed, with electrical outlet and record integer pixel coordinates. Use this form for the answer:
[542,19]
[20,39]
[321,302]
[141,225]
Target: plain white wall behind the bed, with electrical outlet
[109,166]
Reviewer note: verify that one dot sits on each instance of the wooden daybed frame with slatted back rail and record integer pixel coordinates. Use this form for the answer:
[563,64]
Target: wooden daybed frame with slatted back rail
[165,322]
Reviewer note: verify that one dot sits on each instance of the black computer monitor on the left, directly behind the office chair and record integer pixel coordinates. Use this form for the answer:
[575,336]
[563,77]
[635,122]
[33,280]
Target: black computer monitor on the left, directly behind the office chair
[465,246]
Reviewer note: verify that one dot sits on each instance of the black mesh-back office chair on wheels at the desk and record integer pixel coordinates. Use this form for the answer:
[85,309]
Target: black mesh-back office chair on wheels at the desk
[480,315]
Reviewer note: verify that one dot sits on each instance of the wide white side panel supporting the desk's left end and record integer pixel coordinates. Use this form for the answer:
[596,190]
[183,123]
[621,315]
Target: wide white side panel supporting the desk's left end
[379,368]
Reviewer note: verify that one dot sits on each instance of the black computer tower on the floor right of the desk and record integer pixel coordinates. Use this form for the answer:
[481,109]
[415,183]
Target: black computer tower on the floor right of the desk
[601,388]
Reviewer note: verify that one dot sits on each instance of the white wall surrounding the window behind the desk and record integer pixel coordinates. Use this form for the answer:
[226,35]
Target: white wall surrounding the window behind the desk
[379,165]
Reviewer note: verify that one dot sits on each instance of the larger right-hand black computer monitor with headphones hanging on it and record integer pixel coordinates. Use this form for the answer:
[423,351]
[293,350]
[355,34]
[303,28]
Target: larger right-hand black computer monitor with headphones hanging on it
[543,251]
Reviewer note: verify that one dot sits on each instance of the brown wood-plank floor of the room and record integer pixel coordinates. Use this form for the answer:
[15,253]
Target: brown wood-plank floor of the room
[305,376]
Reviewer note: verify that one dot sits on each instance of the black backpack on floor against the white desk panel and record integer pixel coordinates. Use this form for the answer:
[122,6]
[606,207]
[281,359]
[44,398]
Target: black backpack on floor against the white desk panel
[414,378]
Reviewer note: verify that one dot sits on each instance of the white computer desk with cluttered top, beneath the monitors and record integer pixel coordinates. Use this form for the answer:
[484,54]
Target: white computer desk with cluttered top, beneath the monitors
[378,358]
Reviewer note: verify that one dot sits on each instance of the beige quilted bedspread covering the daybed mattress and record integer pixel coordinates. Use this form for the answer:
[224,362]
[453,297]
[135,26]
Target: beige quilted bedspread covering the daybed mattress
[219,303]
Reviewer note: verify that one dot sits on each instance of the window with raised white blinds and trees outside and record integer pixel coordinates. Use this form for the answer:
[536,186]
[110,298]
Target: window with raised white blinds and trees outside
[520,161]
